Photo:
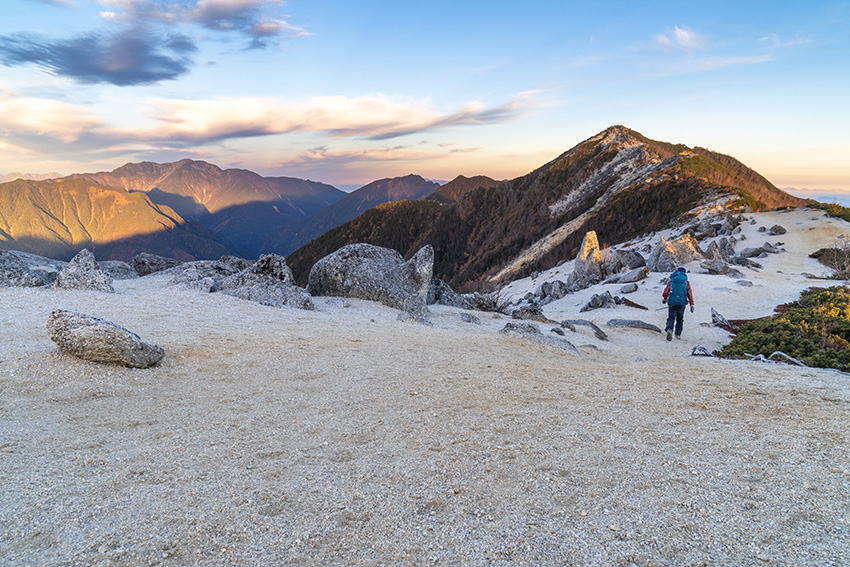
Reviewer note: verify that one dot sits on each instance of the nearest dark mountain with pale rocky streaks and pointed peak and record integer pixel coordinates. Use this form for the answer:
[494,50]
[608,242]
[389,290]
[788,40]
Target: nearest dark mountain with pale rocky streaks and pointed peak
[618,183]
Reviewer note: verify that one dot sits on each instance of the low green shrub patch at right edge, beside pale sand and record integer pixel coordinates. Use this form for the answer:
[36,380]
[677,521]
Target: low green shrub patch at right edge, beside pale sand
[814,329]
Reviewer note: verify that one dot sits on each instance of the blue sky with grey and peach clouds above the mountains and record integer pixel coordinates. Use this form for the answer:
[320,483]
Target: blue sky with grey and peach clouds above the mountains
[347,92]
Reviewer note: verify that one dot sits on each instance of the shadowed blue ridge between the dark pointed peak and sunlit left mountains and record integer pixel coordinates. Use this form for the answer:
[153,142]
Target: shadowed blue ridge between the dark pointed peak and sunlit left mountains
[299,232]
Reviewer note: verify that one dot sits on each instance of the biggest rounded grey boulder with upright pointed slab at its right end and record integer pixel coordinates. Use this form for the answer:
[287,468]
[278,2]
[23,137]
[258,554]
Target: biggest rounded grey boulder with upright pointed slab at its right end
[364,271]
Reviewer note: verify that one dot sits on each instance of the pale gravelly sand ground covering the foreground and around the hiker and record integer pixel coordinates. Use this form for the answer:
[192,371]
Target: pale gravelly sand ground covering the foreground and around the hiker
[344,437]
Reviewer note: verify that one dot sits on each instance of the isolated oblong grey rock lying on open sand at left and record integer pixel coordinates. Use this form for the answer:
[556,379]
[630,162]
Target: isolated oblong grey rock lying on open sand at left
[97,340]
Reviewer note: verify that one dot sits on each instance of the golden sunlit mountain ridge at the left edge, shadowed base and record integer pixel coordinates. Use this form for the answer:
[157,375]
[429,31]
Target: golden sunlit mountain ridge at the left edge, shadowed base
[57,218]
